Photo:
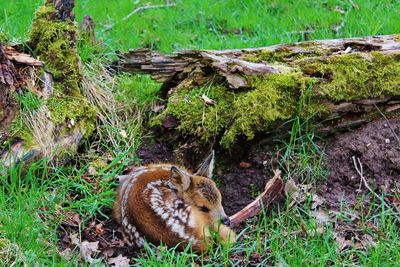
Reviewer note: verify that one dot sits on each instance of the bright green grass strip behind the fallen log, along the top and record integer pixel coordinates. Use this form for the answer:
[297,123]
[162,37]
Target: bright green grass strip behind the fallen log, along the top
[215,24]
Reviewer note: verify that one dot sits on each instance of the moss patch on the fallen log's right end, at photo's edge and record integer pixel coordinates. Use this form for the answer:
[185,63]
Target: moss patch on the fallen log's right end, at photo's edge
[353,76]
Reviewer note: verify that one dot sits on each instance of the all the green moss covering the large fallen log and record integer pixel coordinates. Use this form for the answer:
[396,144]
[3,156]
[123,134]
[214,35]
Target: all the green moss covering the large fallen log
[274,98]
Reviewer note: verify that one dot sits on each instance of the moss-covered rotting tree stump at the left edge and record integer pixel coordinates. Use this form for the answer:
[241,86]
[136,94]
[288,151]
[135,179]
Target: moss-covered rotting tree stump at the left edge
[42,110]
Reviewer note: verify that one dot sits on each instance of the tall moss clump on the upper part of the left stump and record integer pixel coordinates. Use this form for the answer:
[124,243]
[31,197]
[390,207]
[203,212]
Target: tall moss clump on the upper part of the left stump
[52,41]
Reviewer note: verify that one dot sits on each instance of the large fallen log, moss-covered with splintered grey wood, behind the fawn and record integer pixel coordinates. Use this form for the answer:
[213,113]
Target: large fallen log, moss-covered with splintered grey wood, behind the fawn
[231,95]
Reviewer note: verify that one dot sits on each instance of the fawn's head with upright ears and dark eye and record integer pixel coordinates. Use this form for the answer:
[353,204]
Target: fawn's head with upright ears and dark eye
[199,191]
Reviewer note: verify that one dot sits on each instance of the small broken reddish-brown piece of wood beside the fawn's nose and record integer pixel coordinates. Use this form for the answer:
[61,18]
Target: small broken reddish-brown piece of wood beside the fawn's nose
[273,190]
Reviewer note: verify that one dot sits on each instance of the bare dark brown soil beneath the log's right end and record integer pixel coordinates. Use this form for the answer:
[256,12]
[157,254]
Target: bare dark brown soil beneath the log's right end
[377,146]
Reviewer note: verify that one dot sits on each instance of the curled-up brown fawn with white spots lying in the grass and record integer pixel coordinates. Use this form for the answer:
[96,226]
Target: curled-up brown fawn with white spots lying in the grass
[168,204]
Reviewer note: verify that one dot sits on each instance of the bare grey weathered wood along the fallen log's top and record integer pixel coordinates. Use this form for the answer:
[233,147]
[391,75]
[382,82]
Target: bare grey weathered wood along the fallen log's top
[230,63]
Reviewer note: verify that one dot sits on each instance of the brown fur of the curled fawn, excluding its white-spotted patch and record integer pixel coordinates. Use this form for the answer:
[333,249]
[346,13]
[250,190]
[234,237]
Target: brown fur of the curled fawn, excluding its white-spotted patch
[201,193]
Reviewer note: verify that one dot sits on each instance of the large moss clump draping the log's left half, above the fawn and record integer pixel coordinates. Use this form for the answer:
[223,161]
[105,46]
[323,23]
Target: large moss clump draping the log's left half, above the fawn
[236,113]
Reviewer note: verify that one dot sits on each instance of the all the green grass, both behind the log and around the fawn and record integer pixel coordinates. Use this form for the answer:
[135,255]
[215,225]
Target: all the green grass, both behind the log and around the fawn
[32,202]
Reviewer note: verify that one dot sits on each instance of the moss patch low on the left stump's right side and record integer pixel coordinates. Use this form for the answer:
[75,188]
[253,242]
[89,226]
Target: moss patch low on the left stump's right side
[72,111]
